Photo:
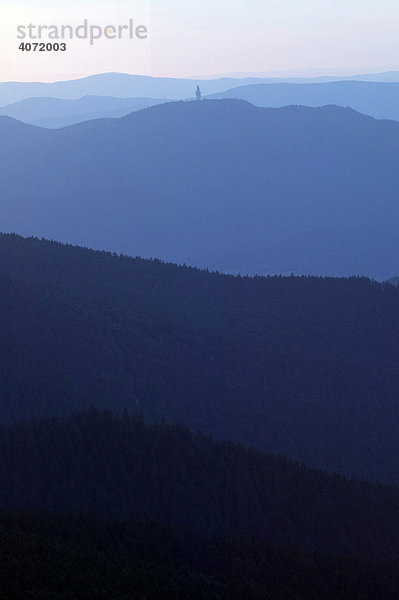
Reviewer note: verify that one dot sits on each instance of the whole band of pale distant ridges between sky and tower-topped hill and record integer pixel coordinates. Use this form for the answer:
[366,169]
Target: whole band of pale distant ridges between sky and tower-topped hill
[115,95]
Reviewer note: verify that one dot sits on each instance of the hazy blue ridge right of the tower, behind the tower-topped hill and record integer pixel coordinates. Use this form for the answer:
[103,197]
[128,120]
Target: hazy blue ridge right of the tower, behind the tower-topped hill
[380,100]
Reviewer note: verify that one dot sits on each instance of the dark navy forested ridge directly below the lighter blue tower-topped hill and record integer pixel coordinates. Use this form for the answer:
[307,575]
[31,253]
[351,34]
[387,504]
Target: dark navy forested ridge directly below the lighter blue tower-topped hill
[304,367]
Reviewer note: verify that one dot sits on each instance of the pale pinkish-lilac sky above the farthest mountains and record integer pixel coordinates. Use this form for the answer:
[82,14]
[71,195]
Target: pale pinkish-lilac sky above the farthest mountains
[202,37]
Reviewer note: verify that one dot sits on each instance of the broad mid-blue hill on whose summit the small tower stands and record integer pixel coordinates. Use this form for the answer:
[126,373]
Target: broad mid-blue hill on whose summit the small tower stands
[217,184]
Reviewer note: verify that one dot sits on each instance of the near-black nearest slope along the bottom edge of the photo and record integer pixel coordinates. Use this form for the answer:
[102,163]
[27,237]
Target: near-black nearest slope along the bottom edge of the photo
[51,557]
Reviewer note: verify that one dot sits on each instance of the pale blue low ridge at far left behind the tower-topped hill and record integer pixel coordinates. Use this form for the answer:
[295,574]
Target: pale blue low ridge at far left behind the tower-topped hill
[55,112]
